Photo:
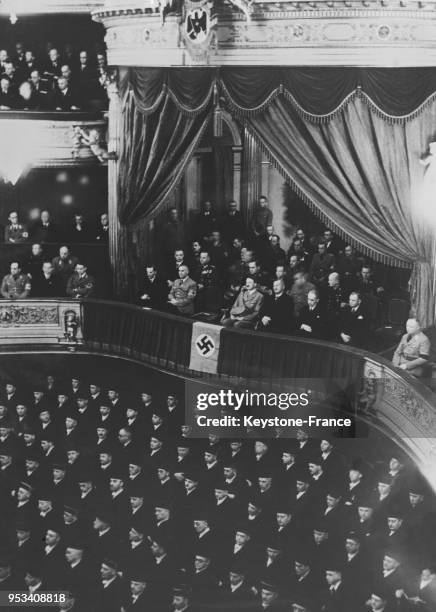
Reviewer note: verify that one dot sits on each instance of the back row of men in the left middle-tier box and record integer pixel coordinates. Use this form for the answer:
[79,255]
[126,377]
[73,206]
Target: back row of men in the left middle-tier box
[44,229]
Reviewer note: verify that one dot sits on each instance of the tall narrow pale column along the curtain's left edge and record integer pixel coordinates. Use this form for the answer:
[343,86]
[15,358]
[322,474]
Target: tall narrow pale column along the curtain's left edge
[114,133]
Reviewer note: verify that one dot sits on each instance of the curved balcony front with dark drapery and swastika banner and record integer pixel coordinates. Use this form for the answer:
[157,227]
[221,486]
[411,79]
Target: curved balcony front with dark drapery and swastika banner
[404,409]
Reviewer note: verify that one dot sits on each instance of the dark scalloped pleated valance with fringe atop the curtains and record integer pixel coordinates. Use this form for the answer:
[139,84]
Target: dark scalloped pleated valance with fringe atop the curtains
[397,94]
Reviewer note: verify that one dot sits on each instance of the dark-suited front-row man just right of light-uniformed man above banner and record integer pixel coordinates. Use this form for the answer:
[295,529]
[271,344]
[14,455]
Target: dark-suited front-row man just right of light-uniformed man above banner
[277,312]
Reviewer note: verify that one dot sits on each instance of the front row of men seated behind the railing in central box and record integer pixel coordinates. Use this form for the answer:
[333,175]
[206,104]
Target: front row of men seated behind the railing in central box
[286,302]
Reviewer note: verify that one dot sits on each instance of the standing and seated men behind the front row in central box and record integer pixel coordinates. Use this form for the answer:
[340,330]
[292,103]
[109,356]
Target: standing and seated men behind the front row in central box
[224,236]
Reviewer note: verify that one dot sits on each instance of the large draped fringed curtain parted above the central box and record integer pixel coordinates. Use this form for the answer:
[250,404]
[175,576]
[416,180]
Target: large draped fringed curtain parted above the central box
[349,141]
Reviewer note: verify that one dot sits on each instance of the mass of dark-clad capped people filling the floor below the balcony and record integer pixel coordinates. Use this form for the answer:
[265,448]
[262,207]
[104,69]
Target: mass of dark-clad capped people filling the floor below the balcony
[108,497]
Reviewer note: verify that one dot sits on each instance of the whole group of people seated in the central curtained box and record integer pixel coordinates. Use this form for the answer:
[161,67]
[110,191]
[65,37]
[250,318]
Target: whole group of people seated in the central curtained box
[321,288]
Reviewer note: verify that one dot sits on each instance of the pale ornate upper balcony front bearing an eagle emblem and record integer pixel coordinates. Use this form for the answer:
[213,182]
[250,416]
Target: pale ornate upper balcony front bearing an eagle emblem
[270,32]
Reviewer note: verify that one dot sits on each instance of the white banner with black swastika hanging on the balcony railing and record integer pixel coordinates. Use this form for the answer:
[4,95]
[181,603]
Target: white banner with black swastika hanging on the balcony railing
[205,346]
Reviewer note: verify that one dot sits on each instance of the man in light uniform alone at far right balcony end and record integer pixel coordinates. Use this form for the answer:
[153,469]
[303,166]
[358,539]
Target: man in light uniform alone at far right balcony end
[413,351]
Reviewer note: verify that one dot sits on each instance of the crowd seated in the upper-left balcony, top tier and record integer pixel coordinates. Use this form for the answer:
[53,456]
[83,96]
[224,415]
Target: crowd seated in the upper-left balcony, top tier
[58,81]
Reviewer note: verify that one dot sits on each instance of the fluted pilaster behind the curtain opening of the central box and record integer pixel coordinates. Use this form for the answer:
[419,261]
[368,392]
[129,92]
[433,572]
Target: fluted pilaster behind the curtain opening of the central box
[251,176]
